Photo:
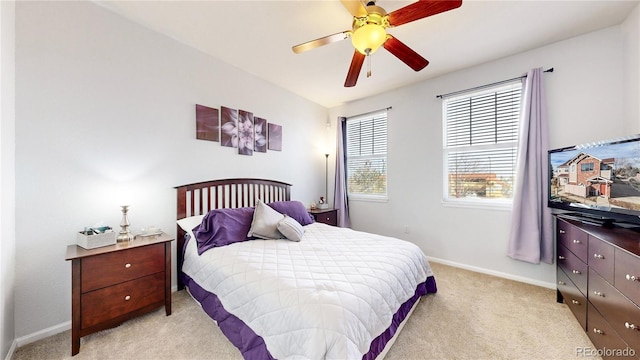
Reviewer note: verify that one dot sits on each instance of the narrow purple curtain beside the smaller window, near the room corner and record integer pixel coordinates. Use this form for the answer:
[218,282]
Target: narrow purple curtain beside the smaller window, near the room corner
[340,200]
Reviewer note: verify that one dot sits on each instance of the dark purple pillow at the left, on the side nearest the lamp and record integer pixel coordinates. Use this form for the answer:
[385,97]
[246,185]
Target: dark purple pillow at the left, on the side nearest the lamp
[222,227]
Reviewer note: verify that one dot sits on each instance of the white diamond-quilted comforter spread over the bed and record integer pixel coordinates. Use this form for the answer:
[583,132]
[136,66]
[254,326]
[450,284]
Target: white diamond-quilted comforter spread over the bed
[325,297]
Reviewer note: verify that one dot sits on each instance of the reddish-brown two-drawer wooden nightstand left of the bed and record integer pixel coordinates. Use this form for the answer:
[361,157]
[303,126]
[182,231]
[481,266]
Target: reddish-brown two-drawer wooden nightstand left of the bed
[112,284]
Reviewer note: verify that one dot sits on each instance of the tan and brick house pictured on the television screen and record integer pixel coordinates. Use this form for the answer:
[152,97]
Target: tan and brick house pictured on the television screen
[585,175]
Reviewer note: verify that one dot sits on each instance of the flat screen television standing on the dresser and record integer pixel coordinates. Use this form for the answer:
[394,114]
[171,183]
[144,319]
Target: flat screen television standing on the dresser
[597,182]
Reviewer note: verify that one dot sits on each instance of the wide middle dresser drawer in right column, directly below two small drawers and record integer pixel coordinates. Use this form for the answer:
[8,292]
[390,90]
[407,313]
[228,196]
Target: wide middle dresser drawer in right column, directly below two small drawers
[622,314]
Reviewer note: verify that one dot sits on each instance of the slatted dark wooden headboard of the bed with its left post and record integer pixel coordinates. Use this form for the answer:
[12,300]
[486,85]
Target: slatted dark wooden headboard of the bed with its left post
[200,198]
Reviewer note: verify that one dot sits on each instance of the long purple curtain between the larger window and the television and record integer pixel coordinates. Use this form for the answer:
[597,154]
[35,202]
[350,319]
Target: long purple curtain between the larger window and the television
[530,238]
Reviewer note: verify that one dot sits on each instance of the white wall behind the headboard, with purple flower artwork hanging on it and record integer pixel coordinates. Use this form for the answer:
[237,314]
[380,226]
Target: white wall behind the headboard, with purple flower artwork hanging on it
[105,110]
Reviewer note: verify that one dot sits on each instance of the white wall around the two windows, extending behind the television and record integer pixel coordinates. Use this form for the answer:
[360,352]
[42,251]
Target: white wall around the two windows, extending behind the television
[585,100]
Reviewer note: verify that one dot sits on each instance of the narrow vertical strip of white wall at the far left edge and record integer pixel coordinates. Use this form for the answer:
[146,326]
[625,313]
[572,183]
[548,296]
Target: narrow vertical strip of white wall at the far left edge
[7,176]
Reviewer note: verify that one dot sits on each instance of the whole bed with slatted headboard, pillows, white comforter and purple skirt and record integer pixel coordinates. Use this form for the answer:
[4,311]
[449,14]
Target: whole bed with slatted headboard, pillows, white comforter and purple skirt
[311,292]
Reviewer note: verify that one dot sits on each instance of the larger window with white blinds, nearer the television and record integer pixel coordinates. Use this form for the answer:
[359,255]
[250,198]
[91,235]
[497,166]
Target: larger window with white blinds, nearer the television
[480,145]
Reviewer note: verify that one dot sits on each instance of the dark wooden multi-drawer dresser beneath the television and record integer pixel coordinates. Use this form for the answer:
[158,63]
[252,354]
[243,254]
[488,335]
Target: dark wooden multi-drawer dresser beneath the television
[598,277]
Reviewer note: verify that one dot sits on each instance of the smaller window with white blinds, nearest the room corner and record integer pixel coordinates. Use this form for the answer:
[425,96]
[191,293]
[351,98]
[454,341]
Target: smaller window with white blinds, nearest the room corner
[366,150]
